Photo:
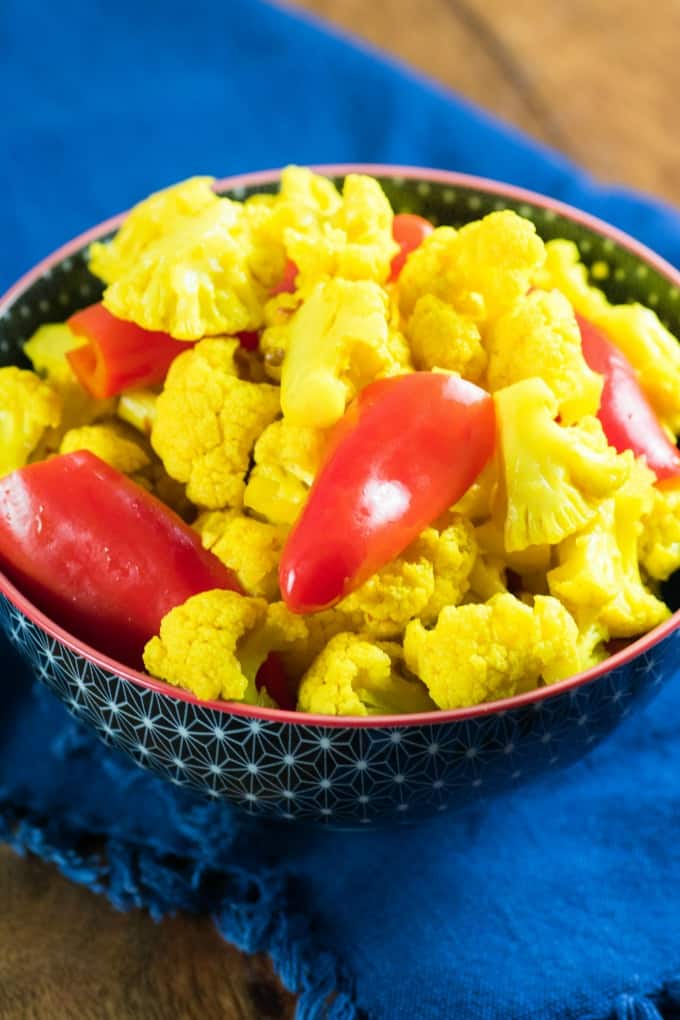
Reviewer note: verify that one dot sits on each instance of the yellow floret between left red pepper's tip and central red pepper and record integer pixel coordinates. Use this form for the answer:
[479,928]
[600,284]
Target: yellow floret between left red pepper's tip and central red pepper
[250,548]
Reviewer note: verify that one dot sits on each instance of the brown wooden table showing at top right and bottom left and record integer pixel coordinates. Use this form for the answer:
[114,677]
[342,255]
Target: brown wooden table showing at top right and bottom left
[600,81]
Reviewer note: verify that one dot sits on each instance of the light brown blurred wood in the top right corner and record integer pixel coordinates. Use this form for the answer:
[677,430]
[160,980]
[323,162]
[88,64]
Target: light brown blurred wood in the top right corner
[597,79]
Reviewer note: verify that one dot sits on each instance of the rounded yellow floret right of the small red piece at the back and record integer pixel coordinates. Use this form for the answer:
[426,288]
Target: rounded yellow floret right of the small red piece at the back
[482,270]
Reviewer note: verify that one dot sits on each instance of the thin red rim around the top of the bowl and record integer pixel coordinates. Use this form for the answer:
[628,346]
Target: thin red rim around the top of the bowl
[455,180]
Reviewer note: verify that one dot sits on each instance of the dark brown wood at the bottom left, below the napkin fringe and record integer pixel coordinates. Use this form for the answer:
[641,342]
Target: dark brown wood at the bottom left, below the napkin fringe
[67,955]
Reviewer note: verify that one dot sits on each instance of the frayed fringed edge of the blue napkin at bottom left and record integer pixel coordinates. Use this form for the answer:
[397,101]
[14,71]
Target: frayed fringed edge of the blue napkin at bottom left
[251,911]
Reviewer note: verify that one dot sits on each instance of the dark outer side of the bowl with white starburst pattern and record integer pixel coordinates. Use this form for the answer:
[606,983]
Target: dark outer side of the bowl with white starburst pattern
[347,776]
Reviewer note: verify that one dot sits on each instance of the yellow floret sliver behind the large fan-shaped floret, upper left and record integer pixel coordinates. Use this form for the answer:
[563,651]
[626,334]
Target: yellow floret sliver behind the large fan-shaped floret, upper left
[149,222]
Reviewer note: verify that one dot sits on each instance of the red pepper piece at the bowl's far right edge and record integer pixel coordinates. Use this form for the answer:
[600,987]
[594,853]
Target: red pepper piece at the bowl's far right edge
[627,418]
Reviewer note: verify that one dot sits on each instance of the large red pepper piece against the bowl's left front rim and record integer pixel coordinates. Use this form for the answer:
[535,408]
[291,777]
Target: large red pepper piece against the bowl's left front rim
[99,554]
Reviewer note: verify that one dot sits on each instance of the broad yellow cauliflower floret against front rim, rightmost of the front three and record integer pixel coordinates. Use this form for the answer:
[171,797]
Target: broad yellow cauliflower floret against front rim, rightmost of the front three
[480,653]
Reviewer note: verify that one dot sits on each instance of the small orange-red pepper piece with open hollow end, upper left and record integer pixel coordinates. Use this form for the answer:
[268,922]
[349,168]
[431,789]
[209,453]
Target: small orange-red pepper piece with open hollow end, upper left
[119,355]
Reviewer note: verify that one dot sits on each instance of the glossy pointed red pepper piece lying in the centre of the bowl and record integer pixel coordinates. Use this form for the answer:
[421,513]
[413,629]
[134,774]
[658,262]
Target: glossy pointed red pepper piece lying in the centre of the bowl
[407,449]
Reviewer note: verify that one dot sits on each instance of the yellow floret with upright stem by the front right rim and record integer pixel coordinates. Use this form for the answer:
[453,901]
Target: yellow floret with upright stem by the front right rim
[599,573]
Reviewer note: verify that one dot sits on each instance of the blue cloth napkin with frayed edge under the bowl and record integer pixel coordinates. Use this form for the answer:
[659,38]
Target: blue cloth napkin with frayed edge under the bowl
[560,901]
